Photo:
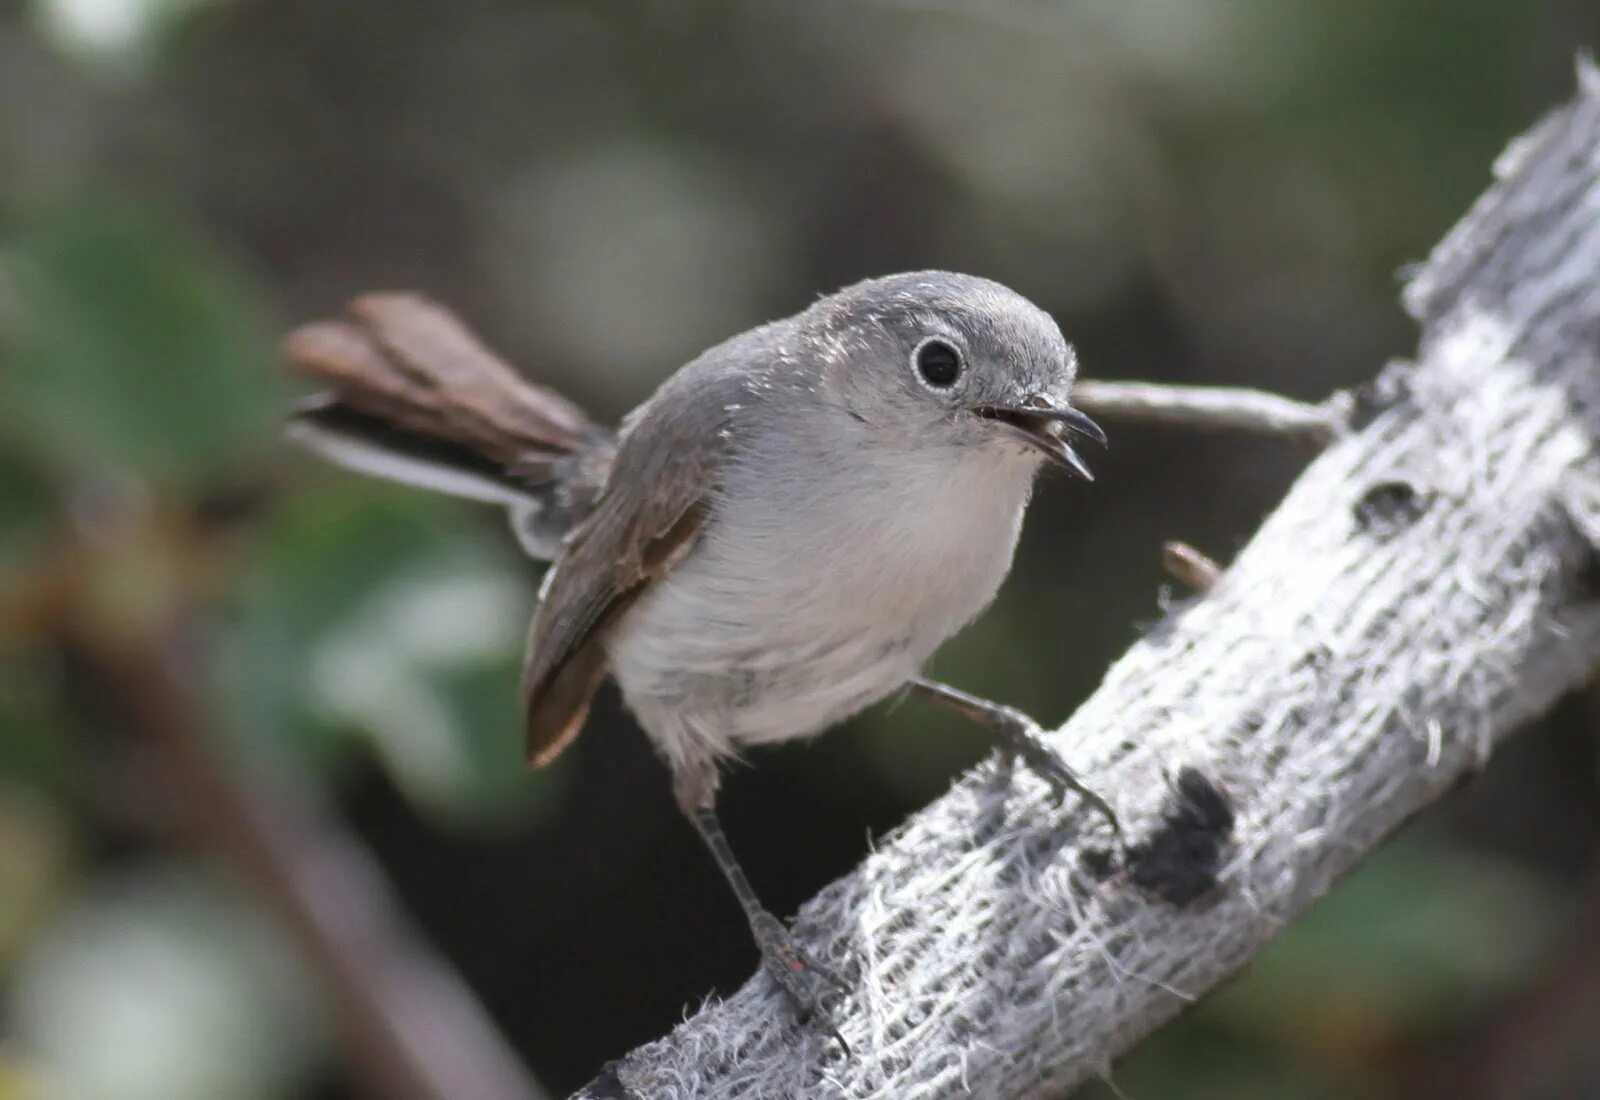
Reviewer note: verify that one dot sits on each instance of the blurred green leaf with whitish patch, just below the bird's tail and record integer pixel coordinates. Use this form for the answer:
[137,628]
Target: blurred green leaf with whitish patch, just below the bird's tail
[393,616]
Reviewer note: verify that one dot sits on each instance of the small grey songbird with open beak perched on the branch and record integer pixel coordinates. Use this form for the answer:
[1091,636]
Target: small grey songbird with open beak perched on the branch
[778,538]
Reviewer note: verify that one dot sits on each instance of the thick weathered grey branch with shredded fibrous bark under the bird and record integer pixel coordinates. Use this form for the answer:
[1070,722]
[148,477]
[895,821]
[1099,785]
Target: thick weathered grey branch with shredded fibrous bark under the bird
[1426,588]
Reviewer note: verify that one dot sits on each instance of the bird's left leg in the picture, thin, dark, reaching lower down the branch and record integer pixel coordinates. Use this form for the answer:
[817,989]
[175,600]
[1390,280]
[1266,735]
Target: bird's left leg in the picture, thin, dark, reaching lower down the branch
[801,976]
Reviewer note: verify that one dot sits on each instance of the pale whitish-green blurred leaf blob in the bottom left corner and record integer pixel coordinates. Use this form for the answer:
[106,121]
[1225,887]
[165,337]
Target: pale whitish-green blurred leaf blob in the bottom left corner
[159,987]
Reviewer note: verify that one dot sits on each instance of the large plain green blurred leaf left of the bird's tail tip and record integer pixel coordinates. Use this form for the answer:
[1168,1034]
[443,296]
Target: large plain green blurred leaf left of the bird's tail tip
[132,349]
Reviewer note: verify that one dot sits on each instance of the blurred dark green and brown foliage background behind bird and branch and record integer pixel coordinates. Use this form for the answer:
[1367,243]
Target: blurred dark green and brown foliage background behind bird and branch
[263,818]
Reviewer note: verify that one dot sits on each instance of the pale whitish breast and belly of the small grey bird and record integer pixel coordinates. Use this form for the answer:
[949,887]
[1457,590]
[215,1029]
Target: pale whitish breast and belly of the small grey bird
[798,608]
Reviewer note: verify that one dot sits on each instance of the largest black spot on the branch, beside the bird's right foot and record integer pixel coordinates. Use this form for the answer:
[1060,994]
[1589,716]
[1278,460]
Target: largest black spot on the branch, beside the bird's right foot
[1180,861]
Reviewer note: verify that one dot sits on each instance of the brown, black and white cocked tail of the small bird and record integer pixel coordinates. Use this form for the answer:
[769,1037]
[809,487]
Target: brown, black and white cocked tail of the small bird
[417,399]
